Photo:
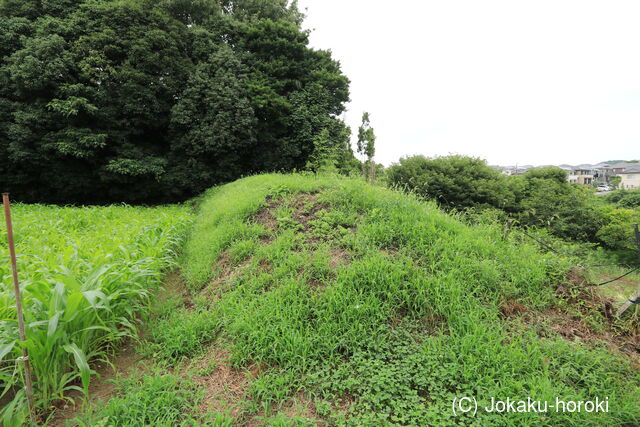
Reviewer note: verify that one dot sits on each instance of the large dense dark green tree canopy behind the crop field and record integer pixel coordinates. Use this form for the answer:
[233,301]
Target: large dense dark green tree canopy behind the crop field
[140,100]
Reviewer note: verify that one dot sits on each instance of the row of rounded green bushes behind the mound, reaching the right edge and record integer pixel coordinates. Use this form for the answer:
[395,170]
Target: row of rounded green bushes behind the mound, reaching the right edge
[541,198]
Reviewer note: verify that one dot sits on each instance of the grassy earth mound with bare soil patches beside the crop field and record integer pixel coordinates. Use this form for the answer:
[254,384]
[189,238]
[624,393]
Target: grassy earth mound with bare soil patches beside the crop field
[364,306]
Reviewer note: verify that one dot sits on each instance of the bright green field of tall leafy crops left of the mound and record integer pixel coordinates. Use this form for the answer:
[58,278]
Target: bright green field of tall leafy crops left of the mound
[86,274]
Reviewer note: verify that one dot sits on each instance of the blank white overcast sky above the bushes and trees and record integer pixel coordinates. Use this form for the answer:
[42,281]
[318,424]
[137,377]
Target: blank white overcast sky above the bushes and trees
[526,82]
